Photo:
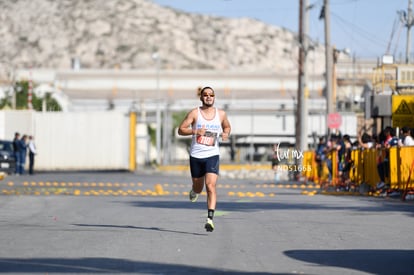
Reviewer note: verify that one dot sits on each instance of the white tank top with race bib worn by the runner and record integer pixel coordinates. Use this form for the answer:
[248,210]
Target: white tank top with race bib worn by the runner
[207,145]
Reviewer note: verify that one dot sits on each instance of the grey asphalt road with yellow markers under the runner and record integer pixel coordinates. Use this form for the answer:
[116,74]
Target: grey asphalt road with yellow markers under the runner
[119,223]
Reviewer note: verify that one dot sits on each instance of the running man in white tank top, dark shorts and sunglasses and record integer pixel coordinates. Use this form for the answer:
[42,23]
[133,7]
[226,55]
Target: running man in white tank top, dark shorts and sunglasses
[205,124]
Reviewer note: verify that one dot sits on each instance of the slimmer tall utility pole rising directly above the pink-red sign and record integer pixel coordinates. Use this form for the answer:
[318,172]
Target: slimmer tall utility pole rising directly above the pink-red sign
[330,108]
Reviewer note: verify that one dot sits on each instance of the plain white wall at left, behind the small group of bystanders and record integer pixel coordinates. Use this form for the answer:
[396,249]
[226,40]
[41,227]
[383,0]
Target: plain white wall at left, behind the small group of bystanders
[72,141]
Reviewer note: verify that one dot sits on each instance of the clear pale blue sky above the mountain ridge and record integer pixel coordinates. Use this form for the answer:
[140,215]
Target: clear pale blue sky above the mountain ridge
[366,27]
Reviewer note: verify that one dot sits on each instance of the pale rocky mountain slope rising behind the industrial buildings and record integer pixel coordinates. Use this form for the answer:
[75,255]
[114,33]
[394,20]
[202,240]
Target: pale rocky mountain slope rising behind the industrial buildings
[126,34]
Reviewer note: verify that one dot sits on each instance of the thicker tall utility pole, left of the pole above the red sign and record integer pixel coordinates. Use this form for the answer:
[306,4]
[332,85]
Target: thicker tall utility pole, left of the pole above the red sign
[302,109]
